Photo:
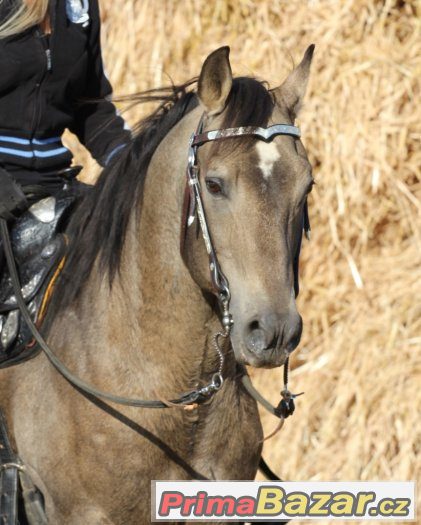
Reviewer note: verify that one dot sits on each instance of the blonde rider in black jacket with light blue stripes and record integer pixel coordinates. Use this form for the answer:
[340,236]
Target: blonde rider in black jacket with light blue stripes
[52,78]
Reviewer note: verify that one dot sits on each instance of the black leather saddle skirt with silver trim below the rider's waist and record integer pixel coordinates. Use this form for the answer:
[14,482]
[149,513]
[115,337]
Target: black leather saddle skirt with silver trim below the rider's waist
[39,249]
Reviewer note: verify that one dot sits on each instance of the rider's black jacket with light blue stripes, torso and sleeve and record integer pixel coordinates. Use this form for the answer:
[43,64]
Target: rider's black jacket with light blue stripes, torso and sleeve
[48,83]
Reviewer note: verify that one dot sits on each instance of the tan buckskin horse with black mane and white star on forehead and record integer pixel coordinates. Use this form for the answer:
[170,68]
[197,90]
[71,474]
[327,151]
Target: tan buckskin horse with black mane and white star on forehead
[133,314]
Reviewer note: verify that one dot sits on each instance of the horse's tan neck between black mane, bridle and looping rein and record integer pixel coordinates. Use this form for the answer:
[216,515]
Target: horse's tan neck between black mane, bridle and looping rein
[154,317]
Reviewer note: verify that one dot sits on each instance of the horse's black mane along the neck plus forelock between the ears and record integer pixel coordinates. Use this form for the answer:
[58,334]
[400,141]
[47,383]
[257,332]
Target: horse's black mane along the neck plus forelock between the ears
[98,227]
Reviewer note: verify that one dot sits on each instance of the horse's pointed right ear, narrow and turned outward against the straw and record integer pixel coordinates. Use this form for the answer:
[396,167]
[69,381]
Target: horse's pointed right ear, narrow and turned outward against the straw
[292,91]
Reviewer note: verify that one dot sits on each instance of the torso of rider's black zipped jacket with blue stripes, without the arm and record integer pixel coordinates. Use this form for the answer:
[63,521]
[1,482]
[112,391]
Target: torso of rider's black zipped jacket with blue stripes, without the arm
[42,78]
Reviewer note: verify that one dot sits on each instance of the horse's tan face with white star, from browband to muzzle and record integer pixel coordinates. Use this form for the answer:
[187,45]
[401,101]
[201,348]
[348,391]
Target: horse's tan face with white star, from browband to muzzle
[254,194]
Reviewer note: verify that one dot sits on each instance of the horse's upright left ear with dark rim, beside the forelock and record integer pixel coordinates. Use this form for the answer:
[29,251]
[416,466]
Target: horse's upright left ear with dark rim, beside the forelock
[215,81]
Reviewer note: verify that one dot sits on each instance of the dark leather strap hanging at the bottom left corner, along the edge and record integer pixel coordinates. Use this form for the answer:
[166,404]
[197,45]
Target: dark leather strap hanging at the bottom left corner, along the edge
[9,467]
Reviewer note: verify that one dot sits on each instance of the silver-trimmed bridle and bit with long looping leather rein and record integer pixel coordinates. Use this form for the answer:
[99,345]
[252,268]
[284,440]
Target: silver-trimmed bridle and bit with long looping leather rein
[193,207]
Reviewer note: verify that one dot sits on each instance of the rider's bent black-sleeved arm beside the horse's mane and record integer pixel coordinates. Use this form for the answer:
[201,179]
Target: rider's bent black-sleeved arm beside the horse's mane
[97,123]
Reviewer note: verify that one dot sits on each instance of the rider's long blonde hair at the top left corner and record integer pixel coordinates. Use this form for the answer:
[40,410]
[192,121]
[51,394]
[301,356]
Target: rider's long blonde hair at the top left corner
[26,14]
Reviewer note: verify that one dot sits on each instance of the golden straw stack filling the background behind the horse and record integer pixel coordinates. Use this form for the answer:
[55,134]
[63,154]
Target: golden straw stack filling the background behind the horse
[359,360]
